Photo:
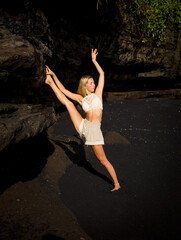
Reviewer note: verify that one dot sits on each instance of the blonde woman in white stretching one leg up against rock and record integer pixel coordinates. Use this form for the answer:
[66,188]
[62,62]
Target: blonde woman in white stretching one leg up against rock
[90,98]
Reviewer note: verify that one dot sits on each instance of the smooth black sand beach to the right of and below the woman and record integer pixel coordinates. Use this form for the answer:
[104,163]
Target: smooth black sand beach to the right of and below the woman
[143,143]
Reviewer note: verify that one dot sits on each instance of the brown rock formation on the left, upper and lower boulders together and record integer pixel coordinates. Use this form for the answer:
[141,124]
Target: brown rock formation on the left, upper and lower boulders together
[22,75]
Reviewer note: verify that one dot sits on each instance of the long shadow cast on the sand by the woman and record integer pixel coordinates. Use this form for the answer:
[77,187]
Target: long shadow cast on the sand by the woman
[75,151]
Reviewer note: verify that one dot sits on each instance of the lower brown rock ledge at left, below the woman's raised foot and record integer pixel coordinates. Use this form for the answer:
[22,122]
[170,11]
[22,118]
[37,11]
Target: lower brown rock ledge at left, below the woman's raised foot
[19,122]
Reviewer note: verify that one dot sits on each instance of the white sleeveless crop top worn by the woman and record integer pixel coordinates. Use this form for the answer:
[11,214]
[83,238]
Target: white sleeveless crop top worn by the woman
[90,102]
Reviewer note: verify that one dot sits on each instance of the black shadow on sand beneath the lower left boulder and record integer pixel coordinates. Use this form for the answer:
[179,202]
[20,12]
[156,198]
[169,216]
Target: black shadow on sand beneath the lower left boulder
[24,161]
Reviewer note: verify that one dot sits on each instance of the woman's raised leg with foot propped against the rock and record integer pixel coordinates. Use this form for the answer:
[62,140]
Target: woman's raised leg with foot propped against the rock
[74,114]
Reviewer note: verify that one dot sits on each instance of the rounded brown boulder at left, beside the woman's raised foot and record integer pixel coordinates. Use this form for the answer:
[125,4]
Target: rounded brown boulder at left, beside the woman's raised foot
[20,73]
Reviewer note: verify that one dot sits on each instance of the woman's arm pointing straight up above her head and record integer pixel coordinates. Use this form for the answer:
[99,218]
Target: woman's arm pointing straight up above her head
[100,85]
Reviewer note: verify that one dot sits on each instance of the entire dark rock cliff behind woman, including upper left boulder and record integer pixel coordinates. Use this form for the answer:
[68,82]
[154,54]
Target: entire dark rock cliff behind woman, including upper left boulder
[61,34]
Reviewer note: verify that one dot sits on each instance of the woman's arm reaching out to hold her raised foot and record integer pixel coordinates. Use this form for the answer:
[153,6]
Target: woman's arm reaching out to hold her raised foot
[69,94]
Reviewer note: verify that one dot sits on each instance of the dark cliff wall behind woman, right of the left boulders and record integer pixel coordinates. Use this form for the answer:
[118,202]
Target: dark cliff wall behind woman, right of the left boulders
[76,27]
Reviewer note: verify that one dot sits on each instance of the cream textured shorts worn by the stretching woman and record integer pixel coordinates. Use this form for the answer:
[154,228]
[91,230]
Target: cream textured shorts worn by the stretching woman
[91,132]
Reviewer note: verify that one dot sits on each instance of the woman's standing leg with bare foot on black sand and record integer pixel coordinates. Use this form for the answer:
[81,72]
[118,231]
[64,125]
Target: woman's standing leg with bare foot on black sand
[100,154]
